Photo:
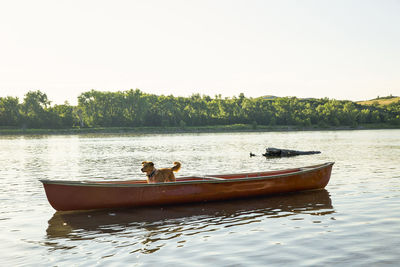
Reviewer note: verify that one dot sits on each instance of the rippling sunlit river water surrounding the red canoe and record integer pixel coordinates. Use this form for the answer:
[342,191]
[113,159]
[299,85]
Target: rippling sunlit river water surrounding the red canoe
[355,221]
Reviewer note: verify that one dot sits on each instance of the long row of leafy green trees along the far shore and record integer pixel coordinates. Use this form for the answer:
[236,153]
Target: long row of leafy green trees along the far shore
[134,108]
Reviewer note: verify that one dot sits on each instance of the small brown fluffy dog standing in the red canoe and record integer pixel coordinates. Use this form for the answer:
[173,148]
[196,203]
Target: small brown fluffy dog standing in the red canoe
[159,175]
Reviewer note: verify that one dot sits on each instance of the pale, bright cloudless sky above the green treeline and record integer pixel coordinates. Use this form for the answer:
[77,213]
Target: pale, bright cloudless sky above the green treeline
[342,49]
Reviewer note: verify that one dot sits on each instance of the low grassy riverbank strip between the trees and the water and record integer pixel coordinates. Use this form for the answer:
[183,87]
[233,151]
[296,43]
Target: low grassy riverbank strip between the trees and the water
[188,129]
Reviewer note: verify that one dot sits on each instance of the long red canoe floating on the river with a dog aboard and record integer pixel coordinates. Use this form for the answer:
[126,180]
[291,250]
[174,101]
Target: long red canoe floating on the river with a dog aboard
[87,195]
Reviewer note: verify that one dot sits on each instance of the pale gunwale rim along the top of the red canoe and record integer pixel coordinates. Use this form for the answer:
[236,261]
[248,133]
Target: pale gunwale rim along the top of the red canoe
[205,179]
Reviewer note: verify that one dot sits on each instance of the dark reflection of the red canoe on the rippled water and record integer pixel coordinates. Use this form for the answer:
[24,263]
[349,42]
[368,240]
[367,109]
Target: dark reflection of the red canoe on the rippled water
[76,225]
